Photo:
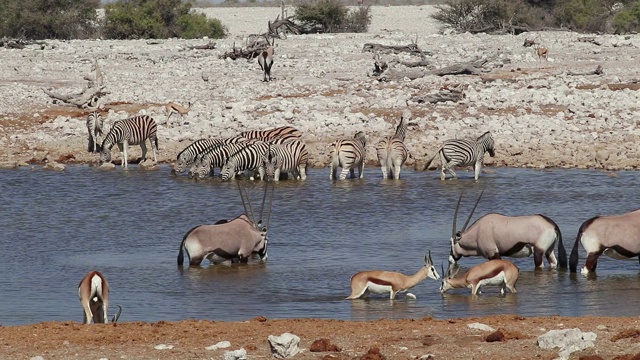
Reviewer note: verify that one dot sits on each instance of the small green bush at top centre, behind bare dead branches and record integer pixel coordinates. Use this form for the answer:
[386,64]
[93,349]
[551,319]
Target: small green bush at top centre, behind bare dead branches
[333,16]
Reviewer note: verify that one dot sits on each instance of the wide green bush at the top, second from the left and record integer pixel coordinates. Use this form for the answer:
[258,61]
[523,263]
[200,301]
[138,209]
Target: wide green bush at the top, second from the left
[157,19]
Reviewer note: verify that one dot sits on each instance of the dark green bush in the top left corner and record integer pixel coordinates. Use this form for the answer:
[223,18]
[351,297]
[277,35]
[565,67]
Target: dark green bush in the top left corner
[48,19]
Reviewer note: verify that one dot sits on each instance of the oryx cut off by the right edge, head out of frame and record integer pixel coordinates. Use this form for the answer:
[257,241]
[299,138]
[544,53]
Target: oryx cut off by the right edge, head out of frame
[617,236]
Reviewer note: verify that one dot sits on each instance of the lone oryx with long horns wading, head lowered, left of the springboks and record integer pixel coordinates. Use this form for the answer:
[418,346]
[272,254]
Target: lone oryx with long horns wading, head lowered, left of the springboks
[229,240]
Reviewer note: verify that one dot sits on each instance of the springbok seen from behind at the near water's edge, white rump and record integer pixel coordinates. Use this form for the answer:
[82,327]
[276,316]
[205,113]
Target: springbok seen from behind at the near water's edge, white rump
[93,292]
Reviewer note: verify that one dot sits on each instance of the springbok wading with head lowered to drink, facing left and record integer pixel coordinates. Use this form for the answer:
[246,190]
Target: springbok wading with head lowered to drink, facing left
[496,272]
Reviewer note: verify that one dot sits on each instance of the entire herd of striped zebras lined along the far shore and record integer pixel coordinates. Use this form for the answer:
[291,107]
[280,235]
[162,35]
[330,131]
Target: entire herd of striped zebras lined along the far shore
[267,154]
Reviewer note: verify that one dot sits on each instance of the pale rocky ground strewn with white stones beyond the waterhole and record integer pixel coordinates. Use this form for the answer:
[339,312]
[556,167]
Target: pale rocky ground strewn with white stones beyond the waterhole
[541,113]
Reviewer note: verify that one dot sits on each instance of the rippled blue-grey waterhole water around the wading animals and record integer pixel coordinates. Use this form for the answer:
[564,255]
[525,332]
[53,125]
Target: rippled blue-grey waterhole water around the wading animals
[57,226]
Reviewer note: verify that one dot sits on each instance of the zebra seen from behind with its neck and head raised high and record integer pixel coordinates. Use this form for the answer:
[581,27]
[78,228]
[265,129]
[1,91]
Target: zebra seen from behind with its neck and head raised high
[392,152]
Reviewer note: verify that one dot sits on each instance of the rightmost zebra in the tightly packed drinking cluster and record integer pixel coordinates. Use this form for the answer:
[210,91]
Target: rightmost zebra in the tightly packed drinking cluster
[291,156]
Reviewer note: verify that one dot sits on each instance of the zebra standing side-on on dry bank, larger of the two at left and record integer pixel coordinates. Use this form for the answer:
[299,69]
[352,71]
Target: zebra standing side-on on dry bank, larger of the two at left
[132,131]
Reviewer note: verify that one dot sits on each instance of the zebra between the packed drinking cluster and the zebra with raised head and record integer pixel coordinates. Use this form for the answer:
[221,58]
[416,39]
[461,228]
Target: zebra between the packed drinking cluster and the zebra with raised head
[348,153]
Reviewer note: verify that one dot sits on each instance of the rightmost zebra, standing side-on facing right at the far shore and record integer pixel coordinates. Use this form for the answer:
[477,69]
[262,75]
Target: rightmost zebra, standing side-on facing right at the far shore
[456,152]
